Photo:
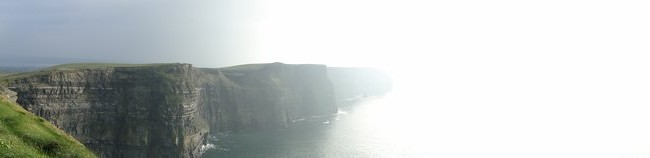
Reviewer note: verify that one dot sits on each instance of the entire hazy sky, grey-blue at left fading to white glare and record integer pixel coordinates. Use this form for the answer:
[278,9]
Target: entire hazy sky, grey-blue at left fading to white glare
[390,33]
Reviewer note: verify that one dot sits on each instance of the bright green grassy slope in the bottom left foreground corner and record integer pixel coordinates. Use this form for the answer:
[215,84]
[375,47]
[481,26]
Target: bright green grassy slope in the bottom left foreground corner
[22,134]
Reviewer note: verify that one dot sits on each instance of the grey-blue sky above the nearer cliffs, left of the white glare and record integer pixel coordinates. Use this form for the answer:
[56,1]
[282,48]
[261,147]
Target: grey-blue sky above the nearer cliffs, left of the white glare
[204,32]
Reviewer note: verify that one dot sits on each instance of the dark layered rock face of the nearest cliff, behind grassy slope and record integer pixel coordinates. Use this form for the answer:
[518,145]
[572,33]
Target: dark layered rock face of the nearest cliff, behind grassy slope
[148,111]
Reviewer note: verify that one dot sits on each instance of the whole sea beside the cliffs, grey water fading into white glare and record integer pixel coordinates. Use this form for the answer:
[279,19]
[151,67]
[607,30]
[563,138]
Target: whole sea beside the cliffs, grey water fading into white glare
[489,114]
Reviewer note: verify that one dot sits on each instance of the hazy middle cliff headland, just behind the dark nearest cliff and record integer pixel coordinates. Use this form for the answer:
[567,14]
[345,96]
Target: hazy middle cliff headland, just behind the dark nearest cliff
[266,96]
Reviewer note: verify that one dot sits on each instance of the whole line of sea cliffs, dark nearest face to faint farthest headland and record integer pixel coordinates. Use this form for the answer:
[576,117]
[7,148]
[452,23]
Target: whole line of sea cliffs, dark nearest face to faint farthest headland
[167,110]
